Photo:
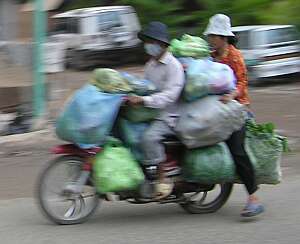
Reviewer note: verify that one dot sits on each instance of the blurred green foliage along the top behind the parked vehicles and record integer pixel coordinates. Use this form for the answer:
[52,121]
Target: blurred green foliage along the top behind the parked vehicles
[191,16]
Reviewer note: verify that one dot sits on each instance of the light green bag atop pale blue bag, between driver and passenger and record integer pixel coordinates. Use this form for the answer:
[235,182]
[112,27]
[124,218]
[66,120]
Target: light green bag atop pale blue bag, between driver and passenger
[203,76]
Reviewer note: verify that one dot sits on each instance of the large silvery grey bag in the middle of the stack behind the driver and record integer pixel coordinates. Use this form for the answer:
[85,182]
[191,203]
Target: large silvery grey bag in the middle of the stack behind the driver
[208,121]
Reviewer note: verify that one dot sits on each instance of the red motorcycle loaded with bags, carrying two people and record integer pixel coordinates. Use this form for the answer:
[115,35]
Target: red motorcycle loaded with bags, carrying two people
[66,192]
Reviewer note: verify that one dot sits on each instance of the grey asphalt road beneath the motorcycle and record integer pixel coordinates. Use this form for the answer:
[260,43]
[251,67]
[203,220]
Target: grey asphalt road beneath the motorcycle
[21,222]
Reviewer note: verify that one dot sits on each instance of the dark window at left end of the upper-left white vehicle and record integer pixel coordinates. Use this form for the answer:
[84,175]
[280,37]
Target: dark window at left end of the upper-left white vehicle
[65,25]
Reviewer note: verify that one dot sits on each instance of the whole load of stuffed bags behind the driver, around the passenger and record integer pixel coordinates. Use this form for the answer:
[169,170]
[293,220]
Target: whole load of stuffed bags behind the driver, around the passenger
[205,122]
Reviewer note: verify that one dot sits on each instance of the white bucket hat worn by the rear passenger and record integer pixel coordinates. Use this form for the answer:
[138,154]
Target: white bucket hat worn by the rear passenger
[219,24]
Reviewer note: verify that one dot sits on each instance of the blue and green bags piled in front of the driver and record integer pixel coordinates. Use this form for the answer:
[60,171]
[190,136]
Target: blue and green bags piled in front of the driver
[89,117]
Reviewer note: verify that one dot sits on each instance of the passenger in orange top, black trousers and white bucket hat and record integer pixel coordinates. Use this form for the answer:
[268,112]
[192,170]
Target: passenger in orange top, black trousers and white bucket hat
[220,38]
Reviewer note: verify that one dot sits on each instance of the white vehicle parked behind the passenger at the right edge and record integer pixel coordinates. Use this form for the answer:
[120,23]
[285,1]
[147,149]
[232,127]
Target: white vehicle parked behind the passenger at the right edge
[270,51]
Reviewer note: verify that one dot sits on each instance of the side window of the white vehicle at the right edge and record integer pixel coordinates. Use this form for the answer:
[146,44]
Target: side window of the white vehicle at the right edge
[280,35]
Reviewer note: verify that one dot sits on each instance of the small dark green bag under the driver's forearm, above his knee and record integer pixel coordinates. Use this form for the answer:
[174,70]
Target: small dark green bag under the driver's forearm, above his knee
[140,113]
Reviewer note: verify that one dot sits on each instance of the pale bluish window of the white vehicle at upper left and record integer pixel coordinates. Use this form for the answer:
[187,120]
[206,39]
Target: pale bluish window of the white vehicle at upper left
[108,20]
